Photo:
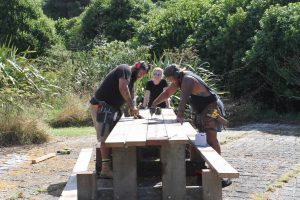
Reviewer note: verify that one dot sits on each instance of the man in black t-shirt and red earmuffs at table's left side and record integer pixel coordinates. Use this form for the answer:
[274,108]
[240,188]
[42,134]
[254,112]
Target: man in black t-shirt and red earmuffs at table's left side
[116,89]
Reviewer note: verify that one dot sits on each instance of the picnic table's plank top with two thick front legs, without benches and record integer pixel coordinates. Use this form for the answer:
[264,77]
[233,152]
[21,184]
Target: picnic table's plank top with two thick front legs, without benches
[162,130]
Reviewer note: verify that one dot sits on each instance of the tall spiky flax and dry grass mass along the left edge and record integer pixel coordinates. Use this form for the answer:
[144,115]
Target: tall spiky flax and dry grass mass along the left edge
[21,82]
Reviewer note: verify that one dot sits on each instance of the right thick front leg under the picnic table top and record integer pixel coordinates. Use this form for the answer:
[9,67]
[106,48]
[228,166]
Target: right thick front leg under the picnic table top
[173,171]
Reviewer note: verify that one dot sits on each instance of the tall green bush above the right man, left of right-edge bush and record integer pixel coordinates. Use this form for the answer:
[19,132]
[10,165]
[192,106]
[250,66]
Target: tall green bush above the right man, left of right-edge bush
[224,32]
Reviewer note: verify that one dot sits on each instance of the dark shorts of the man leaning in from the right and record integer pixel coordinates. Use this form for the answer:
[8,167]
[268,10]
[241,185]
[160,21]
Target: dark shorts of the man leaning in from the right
[204,122]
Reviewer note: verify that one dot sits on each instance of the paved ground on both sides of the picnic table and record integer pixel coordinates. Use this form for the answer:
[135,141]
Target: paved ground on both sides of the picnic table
[262,153]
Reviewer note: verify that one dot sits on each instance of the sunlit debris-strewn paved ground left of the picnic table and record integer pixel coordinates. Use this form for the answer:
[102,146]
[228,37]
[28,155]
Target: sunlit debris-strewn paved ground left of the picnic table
[19,179]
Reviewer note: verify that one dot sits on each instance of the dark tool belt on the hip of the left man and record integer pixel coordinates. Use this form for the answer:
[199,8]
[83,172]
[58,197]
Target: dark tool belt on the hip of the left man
[107,115]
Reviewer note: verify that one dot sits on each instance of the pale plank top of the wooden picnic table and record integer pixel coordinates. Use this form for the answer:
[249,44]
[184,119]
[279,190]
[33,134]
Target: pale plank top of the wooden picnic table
[151,130]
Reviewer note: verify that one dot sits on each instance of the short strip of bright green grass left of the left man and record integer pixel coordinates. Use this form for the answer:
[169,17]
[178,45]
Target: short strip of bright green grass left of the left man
[72,131]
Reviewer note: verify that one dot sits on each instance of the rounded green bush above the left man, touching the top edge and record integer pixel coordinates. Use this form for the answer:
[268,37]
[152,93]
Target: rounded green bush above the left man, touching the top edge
[111,19]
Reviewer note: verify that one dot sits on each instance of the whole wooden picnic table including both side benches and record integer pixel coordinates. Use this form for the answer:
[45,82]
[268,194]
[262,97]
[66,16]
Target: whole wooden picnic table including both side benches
[172,137]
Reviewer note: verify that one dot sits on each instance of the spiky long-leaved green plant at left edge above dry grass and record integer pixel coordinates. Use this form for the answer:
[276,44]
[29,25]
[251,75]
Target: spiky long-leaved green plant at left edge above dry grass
[20,80]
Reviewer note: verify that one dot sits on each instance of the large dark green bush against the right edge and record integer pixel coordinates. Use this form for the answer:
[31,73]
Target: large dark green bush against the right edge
[274,57]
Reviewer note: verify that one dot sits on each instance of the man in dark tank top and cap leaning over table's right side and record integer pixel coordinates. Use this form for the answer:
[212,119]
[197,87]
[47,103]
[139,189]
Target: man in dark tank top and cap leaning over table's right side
[202,100]
